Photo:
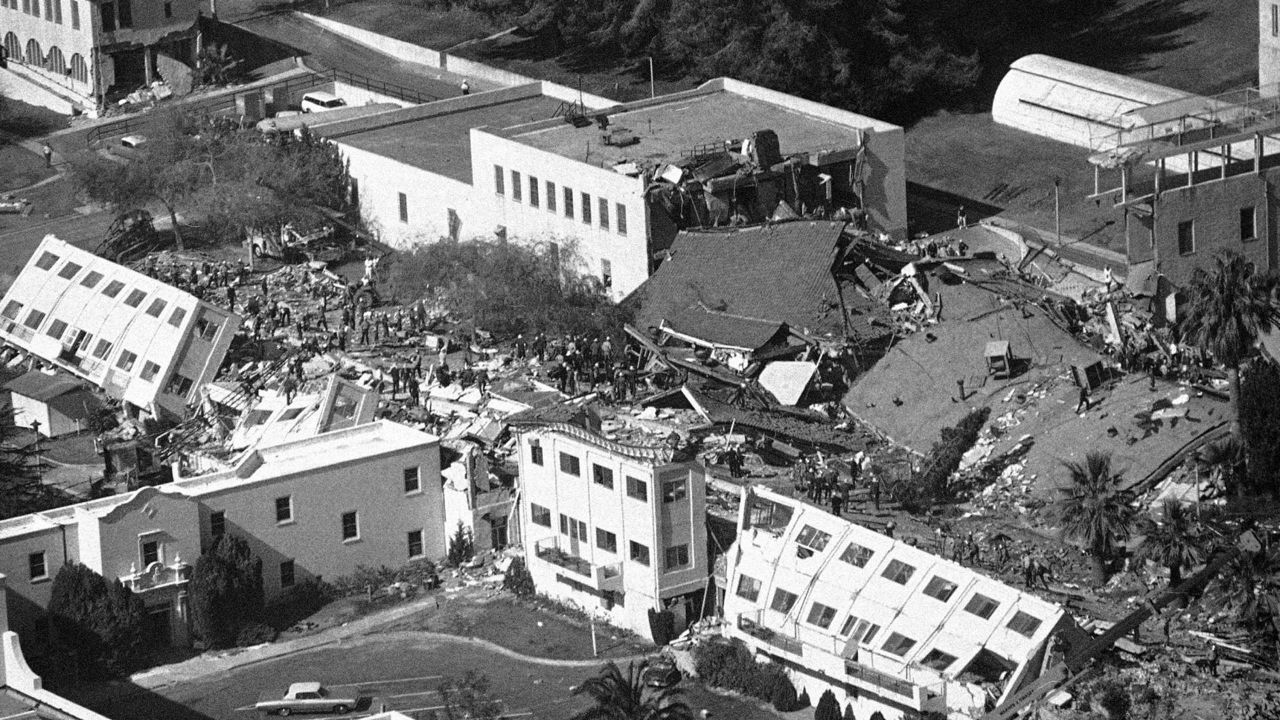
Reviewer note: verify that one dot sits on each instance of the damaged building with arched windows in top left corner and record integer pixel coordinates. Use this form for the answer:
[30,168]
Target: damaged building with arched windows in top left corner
[66,54]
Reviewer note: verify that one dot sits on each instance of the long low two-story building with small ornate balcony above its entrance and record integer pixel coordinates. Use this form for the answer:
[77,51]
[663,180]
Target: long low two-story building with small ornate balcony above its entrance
[313,508]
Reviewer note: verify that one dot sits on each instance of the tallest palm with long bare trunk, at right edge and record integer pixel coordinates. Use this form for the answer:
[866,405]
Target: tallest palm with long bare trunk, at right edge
[1227,311]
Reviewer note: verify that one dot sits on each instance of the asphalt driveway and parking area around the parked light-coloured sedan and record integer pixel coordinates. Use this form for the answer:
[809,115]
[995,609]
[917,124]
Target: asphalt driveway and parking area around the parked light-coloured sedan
[403,673]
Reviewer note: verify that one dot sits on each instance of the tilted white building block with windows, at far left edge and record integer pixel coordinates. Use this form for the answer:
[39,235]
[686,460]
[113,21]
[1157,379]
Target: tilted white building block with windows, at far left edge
[140,340]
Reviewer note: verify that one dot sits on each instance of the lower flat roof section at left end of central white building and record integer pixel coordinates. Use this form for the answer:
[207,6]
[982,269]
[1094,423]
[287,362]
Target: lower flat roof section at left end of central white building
[437,136]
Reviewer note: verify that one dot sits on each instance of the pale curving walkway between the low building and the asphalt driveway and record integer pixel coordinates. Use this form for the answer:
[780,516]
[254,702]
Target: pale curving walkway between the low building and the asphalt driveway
[358,632]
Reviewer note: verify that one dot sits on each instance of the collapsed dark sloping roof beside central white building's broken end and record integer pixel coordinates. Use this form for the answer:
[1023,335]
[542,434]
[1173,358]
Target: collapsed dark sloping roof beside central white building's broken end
[779,272]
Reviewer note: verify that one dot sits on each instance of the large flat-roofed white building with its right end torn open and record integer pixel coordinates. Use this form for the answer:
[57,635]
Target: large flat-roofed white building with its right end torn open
[509,163]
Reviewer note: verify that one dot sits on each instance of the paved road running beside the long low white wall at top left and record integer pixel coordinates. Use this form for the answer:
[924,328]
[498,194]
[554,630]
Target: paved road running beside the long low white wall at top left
[326,51]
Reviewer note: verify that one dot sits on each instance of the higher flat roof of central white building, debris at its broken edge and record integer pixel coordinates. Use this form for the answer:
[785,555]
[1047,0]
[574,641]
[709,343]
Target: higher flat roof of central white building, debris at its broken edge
[668,130]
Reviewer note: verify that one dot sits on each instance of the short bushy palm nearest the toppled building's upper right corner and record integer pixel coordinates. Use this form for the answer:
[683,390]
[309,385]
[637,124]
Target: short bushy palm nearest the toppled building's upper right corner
[1092,509]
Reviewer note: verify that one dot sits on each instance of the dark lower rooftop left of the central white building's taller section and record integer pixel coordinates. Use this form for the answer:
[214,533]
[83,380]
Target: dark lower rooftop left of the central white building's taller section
[442,144]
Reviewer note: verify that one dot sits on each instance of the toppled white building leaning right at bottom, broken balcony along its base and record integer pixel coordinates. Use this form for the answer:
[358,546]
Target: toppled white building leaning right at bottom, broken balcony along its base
[888,627]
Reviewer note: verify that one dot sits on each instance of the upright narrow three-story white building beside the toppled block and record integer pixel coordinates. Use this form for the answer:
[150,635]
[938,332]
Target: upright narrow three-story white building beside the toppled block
[616,530]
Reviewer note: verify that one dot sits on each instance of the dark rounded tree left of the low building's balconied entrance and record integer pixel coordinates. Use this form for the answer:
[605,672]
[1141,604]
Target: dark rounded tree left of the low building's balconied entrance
[100,623]
